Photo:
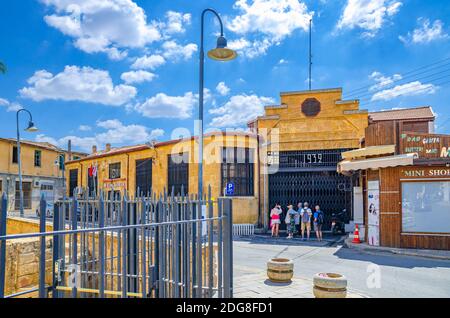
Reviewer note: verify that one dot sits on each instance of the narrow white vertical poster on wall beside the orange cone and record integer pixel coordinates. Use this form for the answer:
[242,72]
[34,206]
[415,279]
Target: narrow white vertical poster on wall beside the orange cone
[373,202]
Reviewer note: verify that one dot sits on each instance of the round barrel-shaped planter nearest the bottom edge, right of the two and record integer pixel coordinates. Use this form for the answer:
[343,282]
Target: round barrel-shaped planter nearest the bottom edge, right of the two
[330,285]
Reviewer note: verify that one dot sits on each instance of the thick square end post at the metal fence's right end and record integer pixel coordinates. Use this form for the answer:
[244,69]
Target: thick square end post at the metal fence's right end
[228,249]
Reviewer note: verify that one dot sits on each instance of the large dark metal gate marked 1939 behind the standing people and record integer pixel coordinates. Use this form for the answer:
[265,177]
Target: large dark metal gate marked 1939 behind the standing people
[310,176]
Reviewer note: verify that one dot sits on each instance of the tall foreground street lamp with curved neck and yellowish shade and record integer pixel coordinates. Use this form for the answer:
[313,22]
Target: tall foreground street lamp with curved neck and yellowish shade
[220,53]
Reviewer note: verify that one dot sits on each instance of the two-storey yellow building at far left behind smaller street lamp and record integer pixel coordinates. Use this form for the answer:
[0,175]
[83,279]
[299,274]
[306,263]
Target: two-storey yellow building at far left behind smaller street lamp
[41,170]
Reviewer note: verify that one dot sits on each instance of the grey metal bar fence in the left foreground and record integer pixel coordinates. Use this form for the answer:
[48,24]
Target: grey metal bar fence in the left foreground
[150,246]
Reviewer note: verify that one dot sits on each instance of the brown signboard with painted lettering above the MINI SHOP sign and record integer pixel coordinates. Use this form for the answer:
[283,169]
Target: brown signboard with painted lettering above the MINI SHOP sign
[427,146]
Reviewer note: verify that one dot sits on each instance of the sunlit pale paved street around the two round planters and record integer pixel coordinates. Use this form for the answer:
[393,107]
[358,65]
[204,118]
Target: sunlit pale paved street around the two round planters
[401,276]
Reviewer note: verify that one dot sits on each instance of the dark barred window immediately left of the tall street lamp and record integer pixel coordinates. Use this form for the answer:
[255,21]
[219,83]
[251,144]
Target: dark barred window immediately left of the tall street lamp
[178,173]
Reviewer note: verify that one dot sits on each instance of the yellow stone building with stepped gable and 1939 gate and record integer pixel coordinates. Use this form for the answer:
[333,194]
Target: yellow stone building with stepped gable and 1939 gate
[301,143]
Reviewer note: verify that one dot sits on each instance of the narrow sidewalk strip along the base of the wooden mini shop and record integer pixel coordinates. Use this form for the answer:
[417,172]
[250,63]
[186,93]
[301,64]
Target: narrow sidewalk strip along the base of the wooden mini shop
[364,247]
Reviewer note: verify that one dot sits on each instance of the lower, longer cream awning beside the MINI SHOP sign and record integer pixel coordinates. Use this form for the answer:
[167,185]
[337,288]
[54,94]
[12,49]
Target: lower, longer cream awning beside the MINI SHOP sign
[377,163]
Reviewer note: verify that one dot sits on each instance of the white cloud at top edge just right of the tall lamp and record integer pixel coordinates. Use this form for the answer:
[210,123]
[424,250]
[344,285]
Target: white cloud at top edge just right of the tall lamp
[264,23]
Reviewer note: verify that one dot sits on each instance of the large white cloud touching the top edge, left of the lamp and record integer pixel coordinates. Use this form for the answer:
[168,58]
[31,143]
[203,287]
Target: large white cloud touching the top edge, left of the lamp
[103,25]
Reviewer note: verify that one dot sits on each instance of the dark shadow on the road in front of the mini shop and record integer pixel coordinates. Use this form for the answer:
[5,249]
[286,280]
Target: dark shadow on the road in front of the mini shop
[388,259]
